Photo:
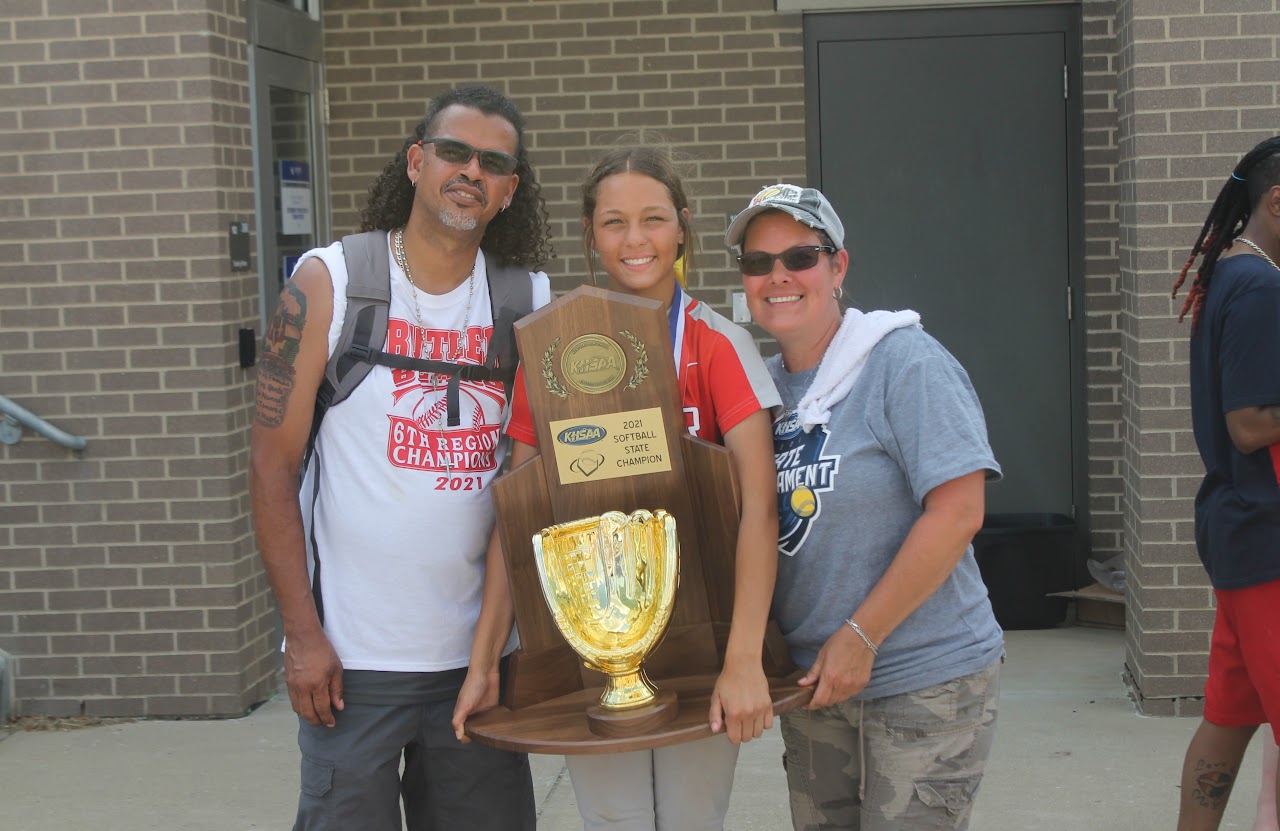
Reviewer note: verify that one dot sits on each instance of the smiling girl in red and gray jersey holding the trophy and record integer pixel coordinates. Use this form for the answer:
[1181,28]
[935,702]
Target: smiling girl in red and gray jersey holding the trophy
[637,227]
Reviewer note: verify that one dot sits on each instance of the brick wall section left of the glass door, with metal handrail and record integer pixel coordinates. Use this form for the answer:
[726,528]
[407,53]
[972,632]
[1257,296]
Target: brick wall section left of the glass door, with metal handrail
[129,582]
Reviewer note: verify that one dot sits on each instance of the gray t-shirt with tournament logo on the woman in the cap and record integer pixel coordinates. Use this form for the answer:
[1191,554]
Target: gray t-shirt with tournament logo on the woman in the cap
[849,494]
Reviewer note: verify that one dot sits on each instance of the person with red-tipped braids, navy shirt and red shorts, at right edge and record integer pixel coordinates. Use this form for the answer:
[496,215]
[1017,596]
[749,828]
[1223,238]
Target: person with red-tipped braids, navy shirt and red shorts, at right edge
[1235,303]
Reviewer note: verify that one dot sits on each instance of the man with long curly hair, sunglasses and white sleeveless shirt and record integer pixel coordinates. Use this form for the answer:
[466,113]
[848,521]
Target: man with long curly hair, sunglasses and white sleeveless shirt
[381,568]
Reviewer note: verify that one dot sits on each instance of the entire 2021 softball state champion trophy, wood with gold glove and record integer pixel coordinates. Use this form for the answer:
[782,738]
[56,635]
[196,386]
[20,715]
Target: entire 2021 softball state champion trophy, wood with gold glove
[620,542]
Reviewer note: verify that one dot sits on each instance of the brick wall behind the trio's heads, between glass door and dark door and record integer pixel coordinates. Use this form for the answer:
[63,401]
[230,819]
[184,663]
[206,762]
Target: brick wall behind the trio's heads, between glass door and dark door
[723,81]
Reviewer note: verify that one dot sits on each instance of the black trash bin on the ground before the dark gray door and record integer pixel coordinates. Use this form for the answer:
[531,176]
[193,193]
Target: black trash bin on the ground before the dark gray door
[1023,558]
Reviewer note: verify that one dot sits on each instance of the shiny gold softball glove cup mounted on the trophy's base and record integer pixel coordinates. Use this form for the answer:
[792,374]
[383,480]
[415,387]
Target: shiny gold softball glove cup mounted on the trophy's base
[611,582]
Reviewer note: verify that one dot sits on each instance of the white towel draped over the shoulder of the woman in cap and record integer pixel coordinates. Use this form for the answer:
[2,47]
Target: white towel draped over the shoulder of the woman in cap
[844,360]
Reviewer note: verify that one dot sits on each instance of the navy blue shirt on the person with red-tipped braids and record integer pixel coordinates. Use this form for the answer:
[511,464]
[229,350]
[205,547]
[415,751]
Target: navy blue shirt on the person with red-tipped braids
[1236,364]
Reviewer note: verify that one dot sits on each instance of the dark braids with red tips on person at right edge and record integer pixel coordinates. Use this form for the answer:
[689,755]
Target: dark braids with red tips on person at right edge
[1254,176]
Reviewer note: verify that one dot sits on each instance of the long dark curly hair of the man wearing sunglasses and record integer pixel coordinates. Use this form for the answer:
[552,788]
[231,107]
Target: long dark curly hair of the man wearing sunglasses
[518,236]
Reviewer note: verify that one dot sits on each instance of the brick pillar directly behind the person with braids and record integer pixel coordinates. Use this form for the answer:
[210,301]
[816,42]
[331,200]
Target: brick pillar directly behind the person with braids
[1196,92]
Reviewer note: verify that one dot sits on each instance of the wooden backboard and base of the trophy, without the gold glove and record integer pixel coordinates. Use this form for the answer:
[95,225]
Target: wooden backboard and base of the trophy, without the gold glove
[611,432]
